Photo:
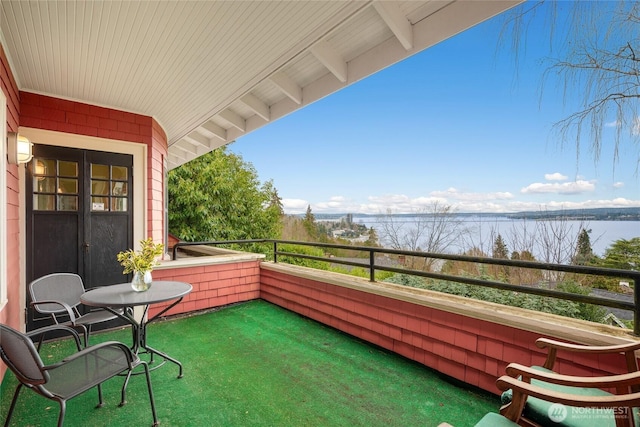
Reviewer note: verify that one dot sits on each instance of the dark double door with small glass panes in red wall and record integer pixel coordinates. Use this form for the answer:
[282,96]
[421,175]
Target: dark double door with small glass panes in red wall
[79,215]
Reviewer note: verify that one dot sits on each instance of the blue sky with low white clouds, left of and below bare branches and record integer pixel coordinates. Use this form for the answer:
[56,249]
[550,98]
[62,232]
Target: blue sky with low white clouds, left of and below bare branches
[460,123]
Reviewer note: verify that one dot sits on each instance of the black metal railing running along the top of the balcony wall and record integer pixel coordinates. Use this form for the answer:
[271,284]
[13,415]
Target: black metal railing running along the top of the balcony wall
[632,276]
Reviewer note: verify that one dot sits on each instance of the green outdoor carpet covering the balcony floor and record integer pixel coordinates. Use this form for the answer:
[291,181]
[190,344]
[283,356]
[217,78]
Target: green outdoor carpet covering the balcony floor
[256,364]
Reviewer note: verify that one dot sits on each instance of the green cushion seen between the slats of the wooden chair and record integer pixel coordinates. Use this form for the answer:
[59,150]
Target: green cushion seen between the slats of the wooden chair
[549,414]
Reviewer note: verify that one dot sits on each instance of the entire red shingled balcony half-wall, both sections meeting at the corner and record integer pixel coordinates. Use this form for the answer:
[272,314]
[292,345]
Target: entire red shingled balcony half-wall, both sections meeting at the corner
[465,347]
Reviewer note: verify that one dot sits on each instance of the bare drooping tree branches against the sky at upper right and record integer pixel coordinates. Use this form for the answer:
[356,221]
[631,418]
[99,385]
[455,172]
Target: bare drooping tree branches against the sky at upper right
[599,66]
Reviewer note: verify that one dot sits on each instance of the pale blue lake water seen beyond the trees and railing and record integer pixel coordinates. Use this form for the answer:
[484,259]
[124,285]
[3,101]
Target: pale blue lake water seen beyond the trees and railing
[482,230]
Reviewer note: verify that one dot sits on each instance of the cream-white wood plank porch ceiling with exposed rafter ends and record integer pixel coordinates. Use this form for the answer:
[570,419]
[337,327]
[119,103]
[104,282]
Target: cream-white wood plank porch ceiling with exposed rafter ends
[212,71]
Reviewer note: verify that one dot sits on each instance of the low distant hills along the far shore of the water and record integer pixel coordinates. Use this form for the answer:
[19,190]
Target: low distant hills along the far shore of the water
[598,214]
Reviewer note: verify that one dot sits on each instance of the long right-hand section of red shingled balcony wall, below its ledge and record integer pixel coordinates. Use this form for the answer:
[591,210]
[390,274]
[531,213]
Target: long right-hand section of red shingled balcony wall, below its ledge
[471,350]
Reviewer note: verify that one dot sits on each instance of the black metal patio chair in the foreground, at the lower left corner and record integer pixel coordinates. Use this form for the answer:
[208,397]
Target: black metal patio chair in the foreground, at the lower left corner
[86,369]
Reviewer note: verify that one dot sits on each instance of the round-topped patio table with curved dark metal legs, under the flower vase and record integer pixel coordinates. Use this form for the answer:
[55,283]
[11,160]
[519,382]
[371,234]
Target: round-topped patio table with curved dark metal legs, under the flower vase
[122,295]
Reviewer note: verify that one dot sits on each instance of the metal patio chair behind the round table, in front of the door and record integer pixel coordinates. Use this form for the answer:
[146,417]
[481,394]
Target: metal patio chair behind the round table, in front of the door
[58,296]
